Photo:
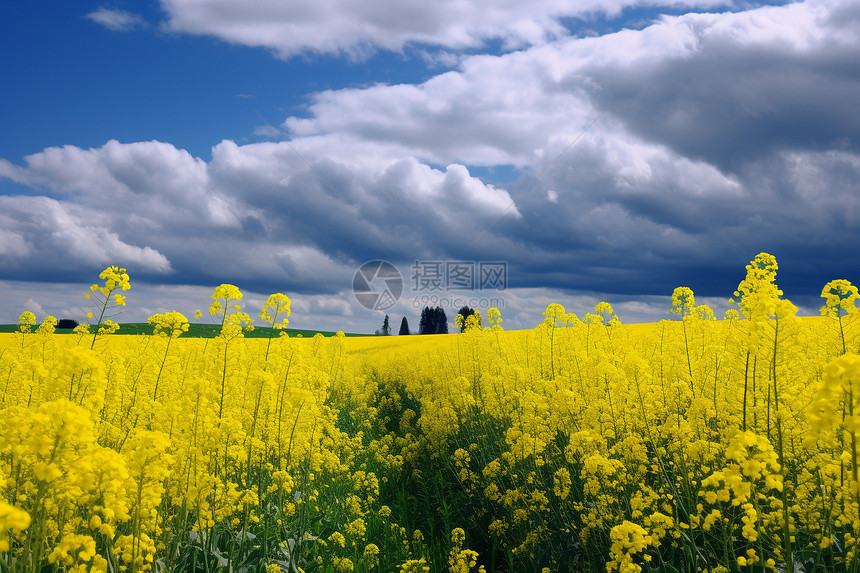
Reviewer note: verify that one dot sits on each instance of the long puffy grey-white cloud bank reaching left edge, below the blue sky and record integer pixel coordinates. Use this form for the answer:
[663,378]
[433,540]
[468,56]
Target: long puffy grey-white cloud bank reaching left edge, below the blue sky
[255,210]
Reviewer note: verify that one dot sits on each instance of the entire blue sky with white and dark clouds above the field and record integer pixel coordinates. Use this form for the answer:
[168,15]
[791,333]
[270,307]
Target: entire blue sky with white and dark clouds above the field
[600,149]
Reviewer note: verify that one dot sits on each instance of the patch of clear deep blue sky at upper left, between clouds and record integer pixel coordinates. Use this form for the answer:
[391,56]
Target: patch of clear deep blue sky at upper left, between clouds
[78,82]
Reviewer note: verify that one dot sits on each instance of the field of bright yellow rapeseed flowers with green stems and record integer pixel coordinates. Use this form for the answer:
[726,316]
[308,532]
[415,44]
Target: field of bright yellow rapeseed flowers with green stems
[583,445]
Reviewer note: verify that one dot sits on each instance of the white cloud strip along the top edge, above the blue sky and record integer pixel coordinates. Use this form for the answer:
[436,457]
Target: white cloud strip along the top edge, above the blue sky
[291,27]
